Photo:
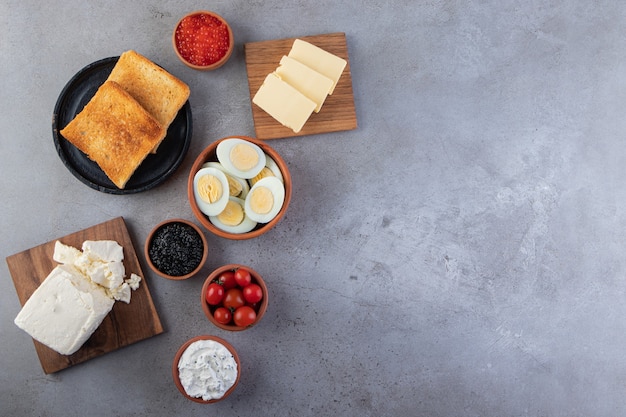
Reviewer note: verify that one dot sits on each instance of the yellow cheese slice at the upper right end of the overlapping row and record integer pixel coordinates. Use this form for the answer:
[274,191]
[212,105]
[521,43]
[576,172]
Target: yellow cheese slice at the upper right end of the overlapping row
[318,59]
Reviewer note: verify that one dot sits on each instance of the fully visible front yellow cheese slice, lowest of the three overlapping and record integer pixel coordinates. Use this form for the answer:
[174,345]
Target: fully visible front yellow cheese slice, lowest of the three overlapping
[284,103]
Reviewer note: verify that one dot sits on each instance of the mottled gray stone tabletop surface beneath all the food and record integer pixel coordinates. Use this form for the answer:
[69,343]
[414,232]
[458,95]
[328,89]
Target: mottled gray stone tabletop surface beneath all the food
[460,254]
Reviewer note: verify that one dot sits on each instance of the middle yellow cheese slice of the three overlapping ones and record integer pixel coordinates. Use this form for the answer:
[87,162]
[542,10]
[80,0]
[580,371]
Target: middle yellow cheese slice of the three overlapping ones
[306,80]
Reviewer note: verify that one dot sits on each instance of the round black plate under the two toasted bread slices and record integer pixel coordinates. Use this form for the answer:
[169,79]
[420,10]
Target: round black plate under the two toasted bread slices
[155,169]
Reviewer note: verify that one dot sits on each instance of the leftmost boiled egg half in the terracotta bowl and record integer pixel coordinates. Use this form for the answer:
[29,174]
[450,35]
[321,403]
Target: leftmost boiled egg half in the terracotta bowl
[210,188]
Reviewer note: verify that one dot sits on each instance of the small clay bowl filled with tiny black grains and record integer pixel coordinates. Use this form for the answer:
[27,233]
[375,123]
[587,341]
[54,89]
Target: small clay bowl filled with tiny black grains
[176,249]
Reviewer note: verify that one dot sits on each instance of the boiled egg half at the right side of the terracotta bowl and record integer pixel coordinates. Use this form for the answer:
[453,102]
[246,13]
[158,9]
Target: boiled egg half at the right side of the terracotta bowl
[265,199]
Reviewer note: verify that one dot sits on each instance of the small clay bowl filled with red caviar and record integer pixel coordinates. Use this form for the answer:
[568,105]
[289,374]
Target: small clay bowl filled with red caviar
[194,44]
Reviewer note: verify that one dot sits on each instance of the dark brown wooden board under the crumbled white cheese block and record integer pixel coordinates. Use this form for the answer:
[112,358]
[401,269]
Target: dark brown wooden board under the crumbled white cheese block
[124,325]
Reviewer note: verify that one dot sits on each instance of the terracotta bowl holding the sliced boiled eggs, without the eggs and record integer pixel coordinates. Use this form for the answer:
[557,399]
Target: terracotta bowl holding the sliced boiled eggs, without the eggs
[209,154]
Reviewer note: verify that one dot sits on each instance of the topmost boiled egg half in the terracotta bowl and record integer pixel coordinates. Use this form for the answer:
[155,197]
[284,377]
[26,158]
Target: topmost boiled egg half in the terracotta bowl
[240,158]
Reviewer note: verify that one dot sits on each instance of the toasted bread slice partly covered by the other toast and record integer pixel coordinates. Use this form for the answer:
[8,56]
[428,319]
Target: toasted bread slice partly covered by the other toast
[158,91]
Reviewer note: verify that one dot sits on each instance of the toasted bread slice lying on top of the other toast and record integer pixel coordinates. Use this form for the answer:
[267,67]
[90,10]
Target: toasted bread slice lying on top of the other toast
[115,131]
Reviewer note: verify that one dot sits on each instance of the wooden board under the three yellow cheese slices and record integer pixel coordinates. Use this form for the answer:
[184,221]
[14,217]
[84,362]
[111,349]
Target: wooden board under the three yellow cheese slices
[338,112]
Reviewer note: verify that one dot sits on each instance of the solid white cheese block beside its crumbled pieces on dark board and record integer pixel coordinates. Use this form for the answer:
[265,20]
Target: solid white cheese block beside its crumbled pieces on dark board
[64,310]
